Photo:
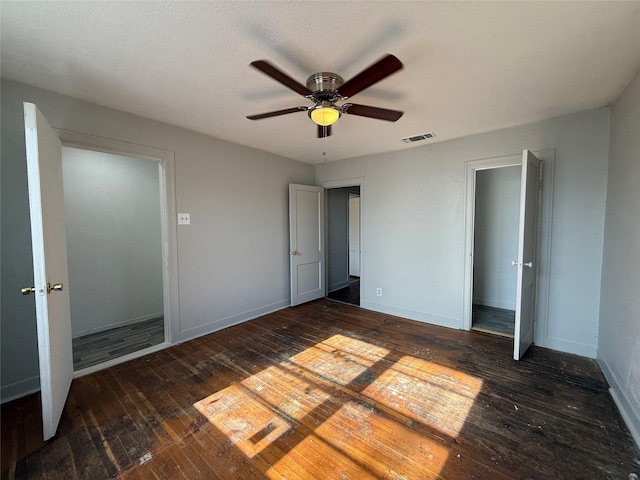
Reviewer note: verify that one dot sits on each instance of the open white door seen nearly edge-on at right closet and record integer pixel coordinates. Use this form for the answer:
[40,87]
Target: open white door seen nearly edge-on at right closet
[526,261]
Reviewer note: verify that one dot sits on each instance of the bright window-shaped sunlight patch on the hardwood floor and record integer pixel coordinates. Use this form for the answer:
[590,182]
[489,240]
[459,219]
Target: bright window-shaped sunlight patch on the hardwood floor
[370,411]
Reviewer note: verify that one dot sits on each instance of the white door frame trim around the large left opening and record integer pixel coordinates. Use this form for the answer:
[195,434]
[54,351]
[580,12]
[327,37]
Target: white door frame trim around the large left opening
[166,170]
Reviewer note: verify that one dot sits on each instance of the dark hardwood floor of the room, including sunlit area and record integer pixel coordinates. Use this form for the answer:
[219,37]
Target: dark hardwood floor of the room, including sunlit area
[330,391]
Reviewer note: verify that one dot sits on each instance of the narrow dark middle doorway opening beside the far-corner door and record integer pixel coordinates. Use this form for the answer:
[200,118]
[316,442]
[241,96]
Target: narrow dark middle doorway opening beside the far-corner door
[343,244]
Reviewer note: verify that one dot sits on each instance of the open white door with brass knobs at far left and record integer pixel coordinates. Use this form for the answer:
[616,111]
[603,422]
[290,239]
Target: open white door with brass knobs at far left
[50,270]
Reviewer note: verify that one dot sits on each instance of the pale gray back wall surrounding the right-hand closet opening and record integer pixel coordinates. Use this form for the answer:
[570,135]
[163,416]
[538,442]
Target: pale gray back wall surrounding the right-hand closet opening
[413,224]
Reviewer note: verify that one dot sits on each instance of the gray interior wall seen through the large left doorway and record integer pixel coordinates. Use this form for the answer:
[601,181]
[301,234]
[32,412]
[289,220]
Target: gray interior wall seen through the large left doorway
[114,245]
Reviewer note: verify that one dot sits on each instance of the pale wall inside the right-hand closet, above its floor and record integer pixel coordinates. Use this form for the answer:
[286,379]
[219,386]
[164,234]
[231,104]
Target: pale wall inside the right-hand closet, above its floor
[497,210]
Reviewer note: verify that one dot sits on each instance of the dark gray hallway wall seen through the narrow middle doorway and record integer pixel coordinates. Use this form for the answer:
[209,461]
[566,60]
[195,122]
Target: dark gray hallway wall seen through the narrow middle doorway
[337,237]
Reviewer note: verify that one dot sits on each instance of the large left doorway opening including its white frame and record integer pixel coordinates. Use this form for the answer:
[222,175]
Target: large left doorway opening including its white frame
[143,201]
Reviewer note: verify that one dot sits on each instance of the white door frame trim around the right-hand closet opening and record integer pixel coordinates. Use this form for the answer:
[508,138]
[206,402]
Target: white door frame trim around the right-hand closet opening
[544,235]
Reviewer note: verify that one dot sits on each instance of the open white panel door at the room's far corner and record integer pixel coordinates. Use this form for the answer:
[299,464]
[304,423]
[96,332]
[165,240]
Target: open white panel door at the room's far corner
[306,243]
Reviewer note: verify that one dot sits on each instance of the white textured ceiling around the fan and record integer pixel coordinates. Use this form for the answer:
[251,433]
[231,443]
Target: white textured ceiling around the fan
[470,67]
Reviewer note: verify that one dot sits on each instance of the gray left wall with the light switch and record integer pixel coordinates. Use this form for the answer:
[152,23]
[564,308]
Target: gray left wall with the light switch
[233,259]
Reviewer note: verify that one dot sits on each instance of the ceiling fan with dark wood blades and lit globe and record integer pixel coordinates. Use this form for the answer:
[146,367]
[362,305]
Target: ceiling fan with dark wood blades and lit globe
[325,89]
